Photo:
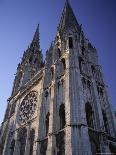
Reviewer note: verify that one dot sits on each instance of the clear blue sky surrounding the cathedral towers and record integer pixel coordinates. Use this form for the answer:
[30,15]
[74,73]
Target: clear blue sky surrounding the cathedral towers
[19,19]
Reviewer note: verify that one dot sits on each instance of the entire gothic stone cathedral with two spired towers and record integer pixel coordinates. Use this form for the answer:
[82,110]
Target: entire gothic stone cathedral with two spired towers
[60,105]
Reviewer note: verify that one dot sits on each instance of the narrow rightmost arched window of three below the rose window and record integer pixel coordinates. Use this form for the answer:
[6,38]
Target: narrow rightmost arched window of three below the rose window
[32,137]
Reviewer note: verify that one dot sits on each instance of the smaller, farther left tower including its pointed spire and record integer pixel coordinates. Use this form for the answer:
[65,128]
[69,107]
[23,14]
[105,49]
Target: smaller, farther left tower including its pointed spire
[31,63]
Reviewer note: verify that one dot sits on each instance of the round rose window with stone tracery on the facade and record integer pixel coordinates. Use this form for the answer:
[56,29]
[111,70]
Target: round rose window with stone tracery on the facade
[28,107]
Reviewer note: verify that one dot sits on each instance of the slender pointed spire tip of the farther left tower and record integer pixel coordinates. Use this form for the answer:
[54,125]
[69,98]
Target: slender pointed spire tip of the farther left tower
[36,38]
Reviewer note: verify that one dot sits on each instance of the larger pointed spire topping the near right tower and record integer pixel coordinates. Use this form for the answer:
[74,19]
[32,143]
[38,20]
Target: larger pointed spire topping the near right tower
[68,18]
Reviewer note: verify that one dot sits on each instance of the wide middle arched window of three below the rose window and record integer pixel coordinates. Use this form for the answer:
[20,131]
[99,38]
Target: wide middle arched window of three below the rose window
[22,135]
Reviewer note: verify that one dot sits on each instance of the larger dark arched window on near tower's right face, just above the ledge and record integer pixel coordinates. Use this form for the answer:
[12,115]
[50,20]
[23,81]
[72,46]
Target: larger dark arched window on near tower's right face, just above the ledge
[89,115]
